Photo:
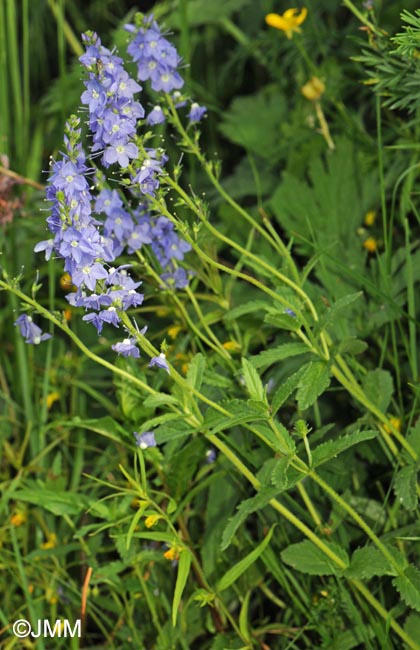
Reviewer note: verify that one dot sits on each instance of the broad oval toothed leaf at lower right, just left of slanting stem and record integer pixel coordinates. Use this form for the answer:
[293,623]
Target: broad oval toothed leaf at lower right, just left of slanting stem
[308,558]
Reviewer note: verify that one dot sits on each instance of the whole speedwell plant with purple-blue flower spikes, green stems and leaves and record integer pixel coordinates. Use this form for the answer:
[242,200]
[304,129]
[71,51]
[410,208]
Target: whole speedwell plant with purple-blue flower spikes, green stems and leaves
[129,231]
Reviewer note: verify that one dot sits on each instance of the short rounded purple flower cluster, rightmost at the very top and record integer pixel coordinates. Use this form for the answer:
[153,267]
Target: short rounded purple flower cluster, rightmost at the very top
[156,58]
